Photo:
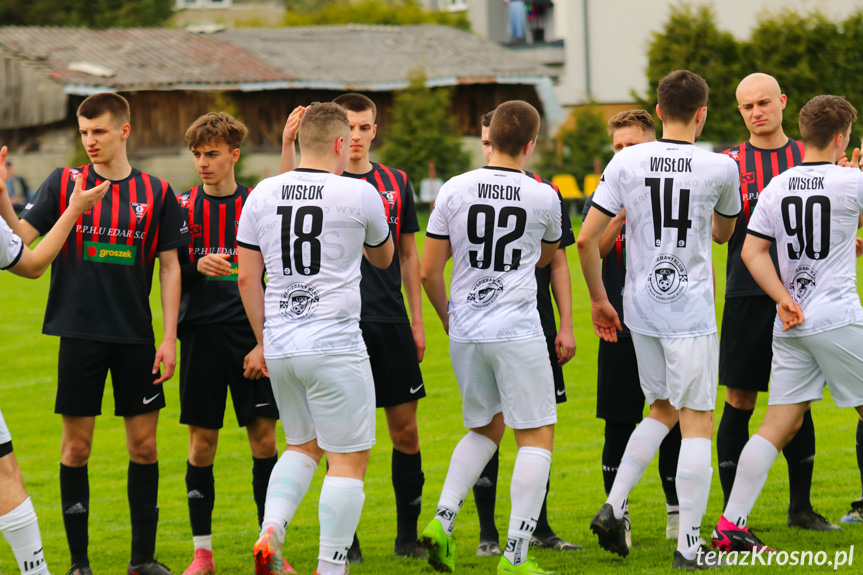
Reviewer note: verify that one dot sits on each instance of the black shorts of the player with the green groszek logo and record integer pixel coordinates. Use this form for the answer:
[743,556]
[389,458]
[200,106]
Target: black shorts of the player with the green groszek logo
[83,366]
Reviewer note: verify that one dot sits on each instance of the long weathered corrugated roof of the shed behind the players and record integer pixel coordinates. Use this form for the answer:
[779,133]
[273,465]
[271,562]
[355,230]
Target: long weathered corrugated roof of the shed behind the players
[358,57]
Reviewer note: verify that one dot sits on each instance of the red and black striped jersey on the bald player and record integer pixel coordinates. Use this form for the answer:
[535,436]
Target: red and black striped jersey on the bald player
[757,168]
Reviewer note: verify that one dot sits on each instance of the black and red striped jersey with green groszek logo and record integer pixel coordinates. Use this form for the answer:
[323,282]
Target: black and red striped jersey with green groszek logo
[100,282]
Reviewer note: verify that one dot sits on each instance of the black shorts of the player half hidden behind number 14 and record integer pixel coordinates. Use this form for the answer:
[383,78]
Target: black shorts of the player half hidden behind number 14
[618,389]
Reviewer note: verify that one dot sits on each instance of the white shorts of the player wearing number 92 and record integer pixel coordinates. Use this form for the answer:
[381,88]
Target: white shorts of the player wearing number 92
[510,376]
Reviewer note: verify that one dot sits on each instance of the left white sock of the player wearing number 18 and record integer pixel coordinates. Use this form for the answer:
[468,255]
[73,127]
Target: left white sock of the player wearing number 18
[289,483]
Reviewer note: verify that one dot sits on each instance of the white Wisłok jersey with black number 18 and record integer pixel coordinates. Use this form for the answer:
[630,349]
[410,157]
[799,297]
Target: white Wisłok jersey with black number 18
[310,226]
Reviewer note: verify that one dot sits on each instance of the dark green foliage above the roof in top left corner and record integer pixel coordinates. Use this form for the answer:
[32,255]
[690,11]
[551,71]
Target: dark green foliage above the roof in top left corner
[91,14]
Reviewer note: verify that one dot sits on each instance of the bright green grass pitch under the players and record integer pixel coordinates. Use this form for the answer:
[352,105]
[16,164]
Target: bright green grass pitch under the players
[28,363]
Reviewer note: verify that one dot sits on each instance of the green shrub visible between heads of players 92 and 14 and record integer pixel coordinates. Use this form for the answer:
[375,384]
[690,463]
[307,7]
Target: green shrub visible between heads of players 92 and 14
[575,150]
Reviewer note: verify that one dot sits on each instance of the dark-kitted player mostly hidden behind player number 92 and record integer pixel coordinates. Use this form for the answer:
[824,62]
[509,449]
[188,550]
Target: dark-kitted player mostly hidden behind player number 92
[552,280]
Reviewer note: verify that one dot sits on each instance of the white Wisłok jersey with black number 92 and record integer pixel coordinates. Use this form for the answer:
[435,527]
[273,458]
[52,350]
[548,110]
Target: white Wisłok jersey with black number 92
[495,220]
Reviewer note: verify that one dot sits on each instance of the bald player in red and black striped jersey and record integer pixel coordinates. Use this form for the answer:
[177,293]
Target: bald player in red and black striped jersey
[747,320]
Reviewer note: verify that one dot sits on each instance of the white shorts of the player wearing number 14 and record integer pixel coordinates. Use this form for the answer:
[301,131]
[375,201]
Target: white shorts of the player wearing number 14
[682,370]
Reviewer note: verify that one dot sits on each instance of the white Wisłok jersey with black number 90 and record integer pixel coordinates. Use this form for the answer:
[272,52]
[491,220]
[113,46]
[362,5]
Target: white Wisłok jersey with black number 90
[812,212]
